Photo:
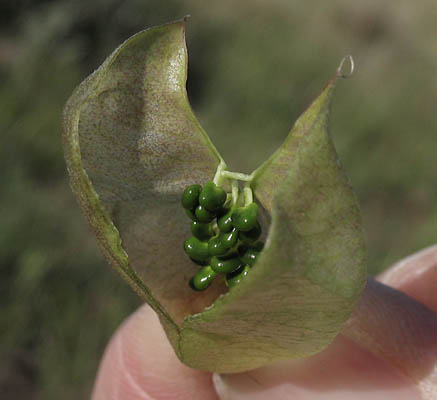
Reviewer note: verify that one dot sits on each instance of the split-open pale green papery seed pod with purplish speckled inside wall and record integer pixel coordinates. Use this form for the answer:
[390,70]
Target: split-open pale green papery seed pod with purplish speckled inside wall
[132,145]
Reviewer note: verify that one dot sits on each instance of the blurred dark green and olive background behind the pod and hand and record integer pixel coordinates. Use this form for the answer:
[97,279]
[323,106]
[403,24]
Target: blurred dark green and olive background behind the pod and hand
[254,66]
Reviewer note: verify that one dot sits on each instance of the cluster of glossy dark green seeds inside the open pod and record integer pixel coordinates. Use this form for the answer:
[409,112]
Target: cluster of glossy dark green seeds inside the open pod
[225,235]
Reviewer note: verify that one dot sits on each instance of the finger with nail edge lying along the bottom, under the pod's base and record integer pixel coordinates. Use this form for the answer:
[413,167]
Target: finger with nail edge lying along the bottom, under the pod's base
[343,371]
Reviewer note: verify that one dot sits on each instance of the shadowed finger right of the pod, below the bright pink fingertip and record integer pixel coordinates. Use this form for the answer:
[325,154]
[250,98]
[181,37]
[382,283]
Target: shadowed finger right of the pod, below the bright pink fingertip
[399,330]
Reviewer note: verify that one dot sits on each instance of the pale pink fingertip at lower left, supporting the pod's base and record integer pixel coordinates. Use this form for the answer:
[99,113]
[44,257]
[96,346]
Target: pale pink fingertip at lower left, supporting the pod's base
[139,362]
